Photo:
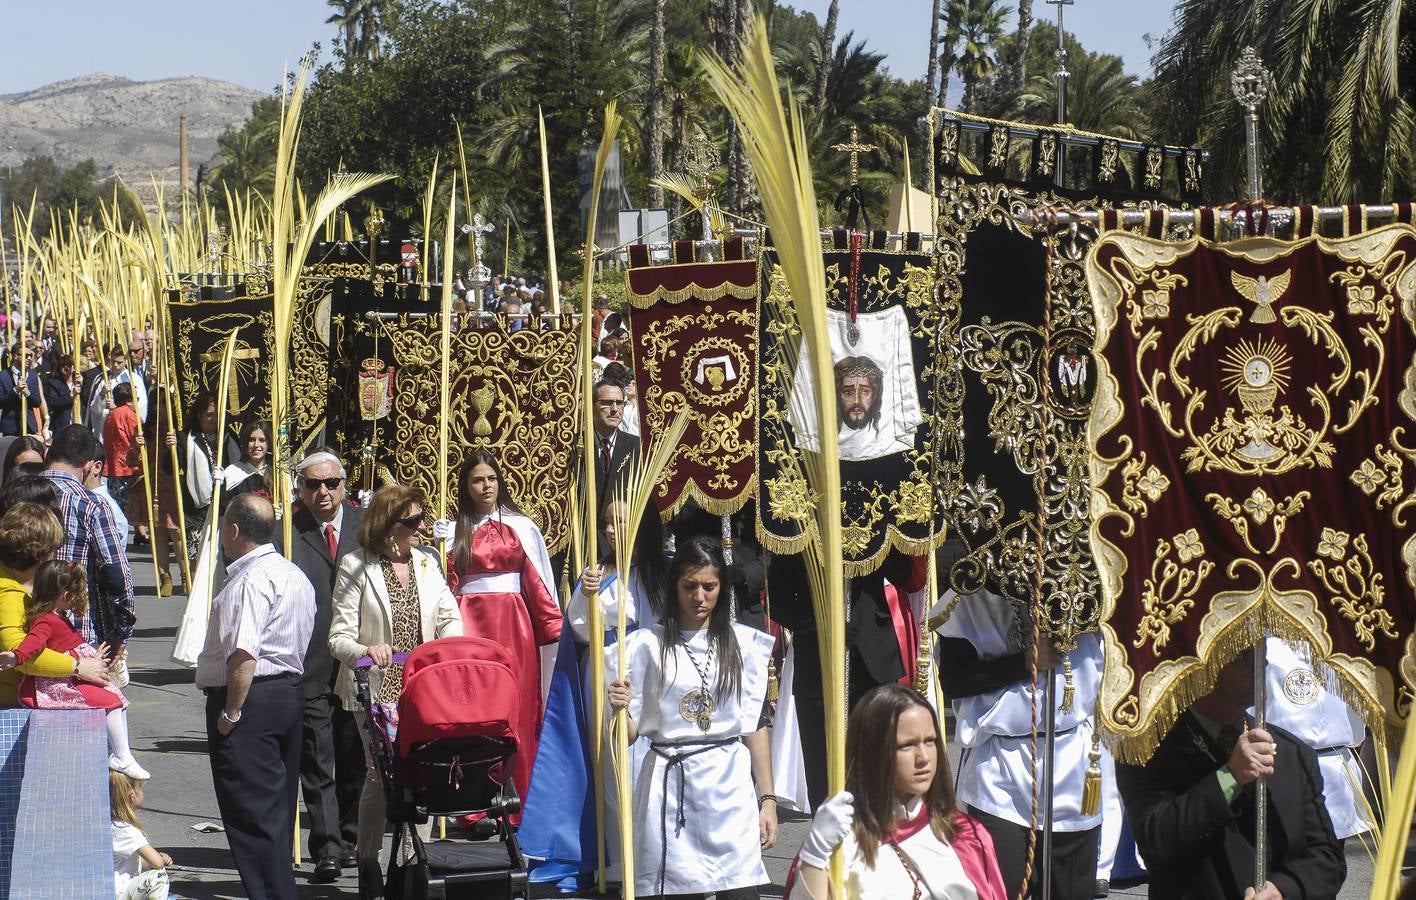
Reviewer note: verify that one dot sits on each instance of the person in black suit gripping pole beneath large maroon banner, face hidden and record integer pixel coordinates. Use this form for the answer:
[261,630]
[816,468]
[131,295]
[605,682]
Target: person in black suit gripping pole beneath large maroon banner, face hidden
[1193,807]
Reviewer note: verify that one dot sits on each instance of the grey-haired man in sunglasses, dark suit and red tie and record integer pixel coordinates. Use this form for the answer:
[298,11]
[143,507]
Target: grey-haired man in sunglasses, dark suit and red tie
[332,761]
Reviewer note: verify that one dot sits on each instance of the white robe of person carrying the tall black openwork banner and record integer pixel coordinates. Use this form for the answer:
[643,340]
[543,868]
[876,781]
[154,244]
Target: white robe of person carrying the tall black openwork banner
[995,729]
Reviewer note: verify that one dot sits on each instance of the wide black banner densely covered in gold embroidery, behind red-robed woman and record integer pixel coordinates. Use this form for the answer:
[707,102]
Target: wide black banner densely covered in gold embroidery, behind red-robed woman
[512,393]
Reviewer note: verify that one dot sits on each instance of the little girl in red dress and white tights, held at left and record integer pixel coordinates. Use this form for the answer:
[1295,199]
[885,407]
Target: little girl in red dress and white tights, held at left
[60,594]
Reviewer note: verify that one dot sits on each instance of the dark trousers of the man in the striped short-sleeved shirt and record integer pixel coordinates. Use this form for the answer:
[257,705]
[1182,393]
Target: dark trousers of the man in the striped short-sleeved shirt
[254,772]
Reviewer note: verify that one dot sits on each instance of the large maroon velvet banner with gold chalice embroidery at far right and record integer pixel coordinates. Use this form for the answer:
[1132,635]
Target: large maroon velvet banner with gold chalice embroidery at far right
[1254,458]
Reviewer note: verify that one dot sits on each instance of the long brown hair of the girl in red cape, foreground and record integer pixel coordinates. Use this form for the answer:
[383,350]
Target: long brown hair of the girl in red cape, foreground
[872,729]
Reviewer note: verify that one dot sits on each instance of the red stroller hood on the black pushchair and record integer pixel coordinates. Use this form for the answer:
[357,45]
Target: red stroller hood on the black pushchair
[454,688]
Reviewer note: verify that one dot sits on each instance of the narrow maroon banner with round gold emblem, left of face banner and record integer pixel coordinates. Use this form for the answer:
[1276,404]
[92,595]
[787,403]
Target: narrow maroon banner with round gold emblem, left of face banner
[696,346]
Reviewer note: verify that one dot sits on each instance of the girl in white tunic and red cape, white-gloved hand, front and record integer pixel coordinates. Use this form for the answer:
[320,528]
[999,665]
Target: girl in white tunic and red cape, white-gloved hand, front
[897,824]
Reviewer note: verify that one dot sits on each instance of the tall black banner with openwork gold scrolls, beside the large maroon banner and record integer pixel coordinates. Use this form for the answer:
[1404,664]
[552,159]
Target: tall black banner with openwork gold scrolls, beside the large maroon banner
[1016,367]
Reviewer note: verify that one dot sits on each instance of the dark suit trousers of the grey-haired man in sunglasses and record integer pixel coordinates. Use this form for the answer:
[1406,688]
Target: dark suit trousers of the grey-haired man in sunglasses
[332,776]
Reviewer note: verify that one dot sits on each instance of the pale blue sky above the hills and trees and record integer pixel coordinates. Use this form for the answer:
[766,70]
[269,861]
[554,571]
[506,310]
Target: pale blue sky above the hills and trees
[251,42]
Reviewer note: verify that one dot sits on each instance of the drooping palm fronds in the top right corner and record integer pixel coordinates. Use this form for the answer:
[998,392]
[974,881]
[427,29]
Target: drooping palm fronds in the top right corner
[1340,122]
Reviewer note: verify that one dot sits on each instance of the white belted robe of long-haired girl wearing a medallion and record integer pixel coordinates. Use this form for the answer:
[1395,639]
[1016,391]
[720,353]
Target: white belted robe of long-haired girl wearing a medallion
[717,848]
